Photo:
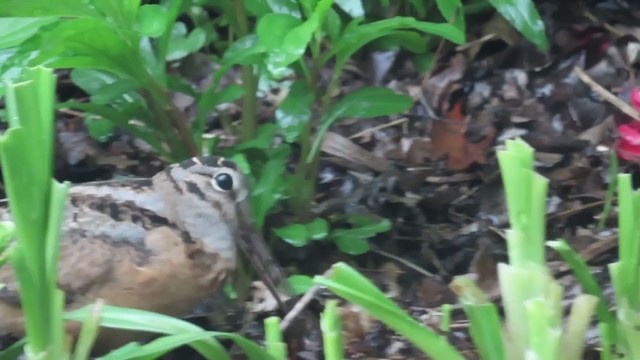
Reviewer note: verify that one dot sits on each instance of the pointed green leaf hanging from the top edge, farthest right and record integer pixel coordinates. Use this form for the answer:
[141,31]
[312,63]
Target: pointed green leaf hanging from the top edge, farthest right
[522,14]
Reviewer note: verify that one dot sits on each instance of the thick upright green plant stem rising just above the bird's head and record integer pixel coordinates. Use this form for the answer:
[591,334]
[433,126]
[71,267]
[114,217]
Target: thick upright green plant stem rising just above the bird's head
[249,78]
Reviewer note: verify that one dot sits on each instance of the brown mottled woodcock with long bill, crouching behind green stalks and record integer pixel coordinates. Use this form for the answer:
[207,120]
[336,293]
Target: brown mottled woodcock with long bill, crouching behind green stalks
[163,244]
